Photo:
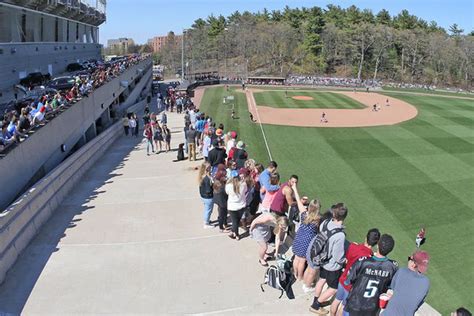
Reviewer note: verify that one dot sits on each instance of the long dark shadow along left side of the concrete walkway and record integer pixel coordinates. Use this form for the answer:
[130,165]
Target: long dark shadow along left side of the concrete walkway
[21,279]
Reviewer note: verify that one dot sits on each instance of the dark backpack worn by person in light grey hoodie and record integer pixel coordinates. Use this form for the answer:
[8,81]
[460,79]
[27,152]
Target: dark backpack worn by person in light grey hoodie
[318,249]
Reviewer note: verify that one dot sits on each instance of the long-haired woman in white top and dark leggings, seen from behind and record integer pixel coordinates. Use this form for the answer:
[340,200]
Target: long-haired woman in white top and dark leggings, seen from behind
[236,190]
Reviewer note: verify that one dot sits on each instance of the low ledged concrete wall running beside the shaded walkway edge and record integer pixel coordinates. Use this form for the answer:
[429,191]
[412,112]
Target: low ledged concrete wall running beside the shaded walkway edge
[24,218]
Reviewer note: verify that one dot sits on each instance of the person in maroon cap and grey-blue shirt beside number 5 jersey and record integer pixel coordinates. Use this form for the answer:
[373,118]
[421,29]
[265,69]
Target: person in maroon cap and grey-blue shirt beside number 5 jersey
[410,286]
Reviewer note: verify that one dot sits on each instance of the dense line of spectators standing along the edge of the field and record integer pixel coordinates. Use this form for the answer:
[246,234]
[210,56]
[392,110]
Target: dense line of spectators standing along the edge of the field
[359,277]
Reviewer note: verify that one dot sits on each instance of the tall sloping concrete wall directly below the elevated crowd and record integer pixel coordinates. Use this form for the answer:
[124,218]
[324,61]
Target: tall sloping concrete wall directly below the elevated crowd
[42,150]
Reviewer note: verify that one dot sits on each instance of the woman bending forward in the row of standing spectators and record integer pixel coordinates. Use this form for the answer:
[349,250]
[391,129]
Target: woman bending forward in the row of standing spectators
[261,231]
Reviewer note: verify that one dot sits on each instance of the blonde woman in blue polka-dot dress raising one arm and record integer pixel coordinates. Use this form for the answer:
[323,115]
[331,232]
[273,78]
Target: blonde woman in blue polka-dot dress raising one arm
[309,218]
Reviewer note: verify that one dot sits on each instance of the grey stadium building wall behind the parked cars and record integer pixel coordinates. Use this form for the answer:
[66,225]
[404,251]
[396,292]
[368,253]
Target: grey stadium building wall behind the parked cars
[19,59]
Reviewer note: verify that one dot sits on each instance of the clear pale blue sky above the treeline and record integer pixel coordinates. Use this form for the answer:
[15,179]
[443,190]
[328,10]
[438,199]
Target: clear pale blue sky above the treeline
[144,19]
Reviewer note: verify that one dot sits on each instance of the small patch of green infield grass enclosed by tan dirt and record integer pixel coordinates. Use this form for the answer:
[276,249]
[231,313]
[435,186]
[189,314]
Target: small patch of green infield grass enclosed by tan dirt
[323,100]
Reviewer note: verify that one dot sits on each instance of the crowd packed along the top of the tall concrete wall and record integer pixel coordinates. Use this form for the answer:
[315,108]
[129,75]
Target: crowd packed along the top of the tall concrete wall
[32,112]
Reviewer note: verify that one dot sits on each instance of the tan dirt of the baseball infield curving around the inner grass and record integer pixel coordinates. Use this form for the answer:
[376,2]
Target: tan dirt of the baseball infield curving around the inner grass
[398,111]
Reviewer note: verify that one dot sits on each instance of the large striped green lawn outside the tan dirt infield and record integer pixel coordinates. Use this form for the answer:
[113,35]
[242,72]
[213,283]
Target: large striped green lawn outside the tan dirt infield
[396,178]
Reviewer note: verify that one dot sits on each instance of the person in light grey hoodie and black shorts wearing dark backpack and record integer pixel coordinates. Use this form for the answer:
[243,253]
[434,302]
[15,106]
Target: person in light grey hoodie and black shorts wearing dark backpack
[332,258]
